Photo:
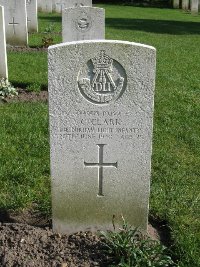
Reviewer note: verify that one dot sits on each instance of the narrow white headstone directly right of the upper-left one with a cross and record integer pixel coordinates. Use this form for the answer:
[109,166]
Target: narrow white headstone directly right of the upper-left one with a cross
[32,19]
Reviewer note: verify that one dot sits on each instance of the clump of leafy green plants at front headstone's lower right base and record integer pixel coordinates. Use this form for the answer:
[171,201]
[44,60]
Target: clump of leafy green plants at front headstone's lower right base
[128,247]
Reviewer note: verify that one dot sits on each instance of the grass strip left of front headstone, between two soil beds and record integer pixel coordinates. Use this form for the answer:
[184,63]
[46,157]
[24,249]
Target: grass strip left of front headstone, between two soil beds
[24,157]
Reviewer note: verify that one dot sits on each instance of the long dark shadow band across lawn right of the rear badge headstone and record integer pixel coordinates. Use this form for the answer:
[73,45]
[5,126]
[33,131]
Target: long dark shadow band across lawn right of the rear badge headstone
[154,26]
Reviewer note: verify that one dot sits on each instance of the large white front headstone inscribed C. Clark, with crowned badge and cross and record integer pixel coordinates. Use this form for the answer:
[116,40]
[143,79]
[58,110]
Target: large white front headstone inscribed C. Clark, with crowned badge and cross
[101,117]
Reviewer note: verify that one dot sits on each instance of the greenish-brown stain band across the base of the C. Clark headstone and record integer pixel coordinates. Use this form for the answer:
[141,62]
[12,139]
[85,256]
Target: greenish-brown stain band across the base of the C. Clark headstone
[92,213]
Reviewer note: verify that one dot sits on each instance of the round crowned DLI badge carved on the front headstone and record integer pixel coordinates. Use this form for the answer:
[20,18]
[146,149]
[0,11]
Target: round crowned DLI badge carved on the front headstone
[102,80]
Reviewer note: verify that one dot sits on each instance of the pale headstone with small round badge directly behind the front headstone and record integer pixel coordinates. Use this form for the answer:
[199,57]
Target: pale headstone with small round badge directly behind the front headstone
[83,23]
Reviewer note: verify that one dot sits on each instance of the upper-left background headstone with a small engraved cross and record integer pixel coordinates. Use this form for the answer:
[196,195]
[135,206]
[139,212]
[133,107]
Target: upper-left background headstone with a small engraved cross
[15,21]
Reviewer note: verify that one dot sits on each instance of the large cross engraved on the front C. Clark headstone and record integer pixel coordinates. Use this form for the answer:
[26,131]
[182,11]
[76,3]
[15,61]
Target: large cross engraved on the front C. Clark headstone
[100,166]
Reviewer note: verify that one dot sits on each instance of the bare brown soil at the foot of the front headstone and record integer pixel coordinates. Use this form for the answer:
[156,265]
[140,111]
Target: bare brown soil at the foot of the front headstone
[27,239]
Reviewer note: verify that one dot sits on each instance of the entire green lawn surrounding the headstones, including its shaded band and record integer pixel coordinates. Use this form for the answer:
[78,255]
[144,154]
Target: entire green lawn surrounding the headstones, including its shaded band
[175,197]
